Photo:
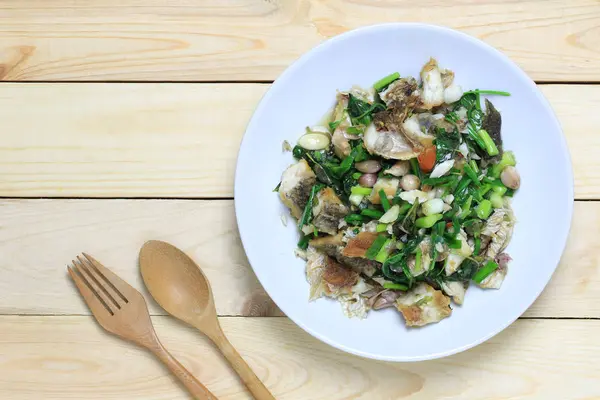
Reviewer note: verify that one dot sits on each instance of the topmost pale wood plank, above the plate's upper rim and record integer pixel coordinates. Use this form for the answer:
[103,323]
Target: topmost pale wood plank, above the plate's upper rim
[246,39]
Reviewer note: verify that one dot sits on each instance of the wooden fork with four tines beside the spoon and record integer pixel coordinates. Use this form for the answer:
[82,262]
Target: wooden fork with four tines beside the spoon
[122,310]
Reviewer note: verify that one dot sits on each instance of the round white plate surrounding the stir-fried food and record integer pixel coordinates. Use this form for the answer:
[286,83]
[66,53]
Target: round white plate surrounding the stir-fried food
[301,96]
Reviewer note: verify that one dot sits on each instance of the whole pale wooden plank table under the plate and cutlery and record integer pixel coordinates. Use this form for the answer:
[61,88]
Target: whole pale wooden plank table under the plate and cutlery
[120,121]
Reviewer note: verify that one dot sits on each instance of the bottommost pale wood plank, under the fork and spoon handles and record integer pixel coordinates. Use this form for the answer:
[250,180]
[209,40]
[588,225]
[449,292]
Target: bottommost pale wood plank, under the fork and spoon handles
[60,358]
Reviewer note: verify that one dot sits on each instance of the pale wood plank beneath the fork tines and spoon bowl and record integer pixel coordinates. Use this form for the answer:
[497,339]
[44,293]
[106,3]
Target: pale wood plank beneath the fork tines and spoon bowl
[39,237]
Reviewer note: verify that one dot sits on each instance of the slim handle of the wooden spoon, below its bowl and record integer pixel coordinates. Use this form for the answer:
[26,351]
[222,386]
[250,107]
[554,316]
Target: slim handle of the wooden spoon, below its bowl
[254,385]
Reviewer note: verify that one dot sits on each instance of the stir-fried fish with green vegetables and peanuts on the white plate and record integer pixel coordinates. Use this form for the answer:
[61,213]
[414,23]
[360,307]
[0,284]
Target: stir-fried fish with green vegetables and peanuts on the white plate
[403,199]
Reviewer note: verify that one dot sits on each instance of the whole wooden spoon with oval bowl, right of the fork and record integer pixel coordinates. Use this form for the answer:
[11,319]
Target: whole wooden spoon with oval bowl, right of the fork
[180,287]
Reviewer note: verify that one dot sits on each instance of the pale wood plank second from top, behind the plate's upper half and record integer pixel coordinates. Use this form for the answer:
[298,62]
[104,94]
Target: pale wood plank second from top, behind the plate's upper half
[179,140]
